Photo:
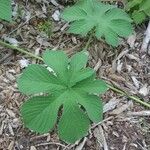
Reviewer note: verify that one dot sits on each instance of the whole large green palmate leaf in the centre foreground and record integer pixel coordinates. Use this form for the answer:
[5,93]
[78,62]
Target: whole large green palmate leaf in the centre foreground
[70,88]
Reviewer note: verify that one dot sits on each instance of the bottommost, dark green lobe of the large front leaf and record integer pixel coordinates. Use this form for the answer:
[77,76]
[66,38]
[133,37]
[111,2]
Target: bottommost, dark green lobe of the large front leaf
[73,124]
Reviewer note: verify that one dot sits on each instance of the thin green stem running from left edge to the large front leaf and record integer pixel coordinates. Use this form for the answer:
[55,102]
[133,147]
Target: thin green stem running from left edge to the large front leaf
[20,50]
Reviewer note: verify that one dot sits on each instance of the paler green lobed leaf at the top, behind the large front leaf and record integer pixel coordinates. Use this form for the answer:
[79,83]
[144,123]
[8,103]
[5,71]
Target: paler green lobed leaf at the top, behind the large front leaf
[106,20]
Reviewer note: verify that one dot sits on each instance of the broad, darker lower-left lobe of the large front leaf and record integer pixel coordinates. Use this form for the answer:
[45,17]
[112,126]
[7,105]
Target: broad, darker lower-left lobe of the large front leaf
[40,113]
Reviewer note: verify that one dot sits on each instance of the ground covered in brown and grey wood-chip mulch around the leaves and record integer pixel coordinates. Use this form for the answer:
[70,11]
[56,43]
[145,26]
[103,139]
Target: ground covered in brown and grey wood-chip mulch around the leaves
[126,67]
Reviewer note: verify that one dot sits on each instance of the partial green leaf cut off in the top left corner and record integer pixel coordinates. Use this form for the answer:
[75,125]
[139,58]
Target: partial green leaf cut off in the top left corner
[5,10]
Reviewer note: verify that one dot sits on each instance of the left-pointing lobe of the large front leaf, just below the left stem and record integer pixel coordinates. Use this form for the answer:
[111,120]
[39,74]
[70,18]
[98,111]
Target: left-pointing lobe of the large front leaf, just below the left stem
[40,79]
